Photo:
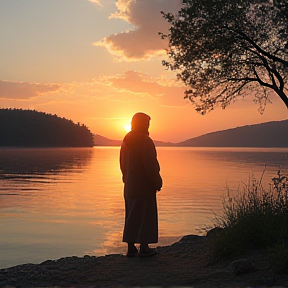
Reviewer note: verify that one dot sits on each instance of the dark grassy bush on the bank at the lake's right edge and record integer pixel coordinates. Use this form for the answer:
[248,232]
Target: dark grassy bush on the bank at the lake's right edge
[253,219]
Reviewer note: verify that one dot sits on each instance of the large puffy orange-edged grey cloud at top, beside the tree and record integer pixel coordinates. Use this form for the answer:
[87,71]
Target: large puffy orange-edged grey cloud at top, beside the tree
[143,41]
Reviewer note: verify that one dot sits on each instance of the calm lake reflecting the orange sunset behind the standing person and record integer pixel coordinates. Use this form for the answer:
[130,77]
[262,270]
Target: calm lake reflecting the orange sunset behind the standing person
[63,202]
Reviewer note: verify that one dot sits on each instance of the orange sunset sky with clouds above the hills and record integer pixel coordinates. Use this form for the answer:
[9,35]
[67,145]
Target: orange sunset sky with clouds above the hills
[98,62]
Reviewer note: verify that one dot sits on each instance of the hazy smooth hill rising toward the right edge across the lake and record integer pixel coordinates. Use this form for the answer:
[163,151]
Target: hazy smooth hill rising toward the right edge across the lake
[269,134]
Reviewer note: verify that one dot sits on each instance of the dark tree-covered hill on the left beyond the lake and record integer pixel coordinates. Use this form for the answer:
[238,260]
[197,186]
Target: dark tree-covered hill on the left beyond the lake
[27,128]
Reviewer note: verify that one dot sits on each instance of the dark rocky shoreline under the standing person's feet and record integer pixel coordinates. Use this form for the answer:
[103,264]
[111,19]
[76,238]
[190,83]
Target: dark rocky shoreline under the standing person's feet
[185,263]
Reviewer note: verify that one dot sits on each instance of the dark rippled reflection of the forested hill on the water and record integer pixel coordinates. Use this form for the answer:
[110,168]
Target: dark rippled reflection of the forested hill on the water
[20,168]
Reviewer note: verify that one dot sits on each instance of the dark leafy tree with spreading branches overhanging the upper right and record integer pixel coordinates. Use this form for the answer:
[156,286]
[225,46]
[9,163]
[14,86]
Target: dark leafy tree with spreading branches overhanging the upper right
[226,49]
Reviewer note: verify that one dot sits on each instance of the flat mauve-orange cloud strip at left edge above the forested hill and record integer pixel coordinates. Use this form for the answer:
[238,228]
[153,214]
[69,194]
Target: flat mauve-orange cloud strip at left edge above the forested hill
[22,91]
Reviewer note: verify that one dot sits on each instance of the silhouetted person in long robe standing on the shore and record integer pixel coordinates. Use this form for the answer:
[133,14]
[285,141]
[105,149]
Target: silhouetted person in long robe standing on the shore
[142,180]
